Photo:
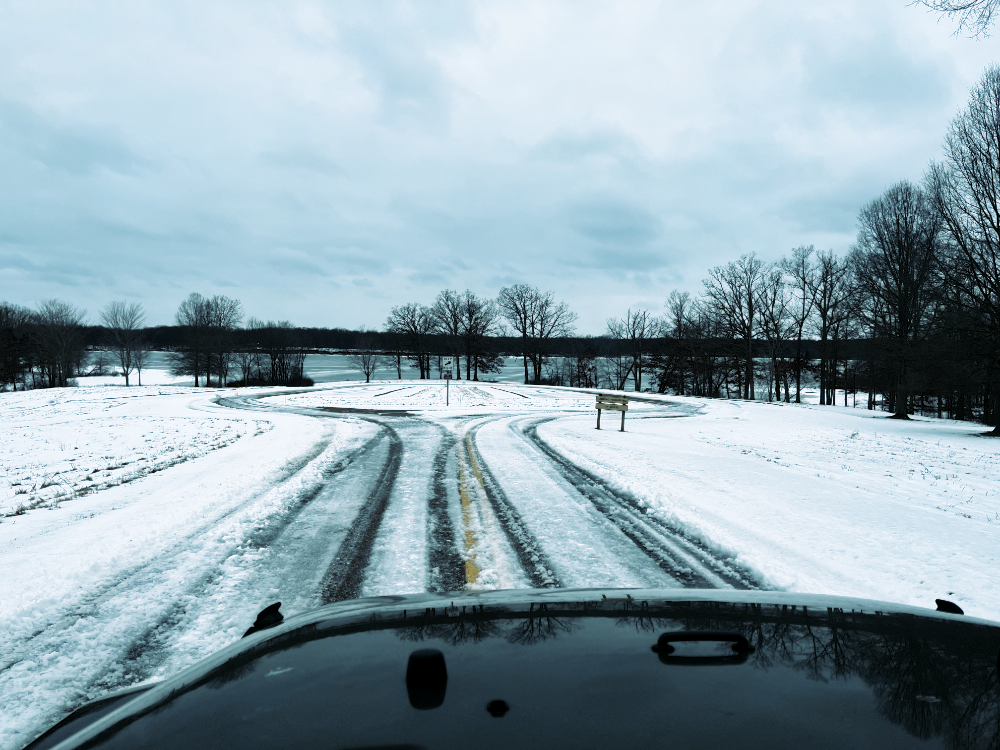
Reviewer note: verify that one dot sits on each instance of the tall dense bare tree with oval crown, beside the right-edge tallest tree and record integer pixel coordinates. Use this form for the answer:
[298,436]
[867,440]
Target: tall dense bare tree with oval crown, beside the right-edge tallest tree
[896,262]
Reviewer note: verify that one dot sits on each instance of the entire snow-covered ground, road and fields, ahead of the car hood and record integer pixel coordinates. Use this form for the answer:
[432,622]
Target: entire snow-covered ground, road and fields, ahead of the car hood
[153,523]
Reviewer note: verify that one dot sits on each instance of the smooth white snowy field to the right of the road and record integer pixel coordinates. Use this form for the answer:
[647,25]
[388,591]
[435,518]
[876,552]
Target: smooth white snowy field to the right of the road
[818,499]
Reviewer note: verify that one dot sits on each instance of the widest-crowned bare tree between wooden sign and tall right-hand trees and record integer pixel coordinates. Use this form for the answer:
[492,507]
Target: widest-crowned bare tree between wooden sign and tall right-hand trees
[733,293]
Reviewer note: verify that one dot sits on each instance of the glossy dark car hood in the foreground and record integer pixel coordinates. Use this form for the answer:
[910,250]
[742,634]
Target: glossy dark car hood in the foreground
[578,668]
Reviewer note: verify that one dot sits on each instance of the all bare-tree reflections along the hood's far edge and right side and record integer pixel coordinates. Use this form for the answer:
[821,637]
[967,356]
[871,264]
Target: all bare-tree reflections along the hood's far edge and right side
[935,678]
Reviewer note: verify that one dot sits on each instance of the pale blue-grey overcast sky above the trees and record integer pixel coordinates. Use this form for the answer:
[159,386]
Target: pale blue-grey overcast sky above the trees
[322,162]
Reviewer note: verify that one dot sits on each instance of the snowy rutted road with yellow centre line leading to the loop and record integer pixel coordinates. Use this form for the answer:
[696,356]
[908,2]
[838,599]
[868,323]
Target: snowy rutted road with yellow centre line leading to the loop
[466,501]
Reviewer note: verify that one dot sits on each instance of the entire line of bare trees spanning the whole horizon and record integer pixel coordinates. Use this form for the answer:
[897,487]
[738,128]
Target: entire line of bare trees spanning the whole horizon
[909,317]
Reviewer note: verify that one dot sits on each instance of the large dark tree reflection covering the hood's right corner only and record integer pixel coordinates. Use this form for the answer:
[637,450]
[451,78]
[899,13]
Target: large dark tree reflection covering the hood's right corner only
[935,678]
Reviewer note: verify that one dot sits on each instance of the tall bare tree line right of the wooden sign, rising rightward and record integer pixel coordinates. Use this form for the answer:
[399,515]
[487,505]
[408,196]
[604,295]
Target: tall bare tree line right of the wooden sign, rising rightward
[919,290]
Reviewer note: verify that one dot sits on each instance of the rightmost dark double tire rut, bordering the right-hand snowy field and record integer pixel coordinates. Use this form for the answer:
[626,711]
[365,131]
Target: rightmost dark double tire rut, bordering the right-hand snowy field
[681,556]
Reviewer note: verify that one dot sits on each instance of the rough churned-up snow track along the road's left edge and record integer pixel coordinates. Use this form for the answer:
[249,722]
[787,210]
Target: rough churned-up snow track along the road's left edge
[128,630]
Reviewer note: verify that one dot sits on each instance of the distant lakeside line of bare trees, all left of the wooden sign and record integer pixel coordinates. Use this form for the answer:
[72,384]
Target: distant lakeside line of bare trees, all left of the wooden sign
[464,334]
